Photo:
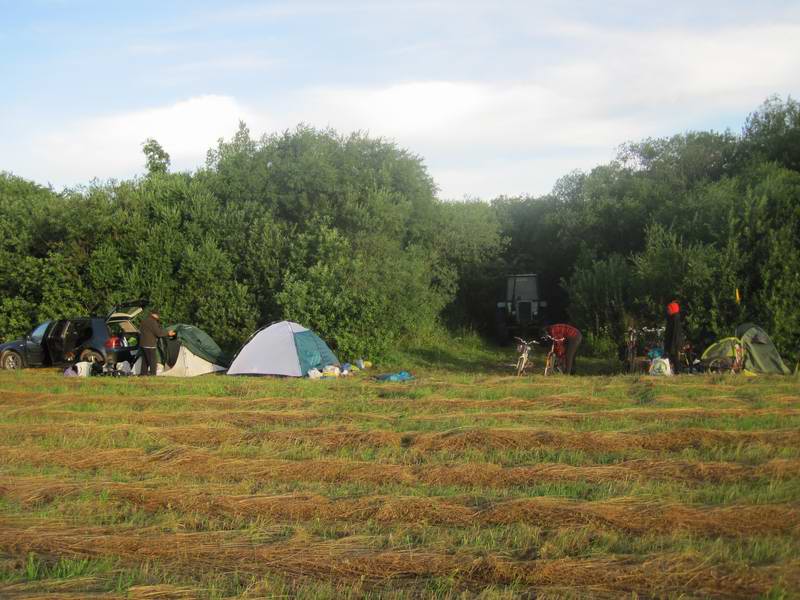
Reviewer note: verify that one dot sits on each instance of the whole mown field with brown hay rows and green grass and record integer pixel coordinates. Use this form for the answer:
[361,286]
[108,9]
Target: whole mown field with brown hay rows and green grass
[463,483]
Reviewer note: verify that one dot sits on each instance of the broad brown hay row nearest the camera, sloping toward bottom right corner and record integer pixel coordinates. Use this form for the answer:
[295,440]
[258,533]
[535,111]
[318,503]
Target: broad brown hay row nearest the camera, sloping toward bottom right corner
[352,559]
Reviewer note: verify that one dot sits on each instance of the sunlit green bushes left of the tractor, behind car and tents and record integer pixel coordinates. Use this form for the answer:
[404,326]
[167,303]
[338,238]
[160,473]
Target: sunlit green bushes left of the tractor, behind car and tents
[342,233]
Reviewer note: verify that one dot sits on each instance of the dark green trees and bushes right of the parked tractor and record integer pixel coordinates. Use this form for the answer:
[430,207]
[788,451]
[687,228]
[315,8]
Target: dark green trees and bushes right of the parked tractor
[693,217]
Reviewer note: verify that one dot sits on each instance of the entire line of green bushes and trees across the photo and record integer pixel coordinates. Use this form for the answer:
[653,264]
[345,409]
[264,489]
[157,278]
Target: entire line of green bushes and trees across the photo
[346,234]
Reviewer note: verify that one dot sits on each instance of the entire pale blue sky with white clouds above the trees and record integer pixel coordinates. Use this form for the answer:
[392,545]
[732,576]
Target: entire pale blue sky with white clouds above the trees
[498,98]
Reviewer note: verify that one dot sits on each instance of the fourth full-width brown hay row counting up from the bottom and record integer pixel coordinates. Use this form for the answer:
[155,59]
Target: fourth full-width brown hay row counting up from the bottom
[461,440]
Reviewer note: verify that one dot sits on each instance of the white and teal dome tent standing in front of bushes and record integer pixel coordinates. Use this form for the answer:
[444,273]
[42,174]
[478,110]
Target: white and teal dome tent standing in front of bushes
[283,348]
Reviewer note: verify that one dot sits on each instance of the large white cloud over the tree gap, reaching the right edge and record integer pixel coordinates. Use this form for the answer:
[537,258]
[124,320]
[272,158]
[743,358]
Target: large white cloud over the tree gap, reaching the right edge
[489,138]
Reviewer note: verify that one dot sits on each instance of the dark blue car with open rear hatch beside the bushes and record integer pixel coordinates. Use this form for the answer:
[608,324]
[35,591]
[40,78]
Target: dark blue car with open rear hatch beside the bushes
[109,340]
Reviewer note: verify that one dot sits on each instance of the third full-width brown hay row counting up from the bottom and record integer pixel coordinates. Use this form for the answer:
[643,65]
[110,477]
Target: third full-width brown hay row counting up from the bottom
[185,461]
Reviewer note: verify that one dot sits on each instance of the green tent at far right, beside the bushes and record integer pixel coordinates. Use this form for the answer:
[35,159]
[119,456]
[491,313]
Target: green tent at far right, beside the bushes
[758,353]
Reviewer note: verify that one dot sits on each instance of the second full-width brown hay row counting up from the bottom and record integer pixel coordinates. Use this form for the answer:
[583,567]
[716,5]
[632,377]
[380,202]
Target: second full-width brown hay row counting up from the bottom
[625,514]
